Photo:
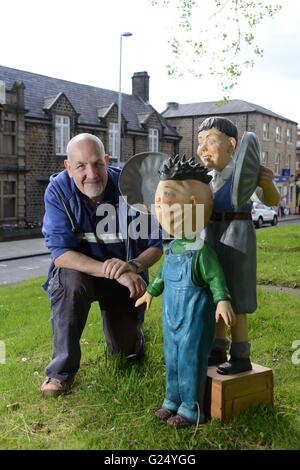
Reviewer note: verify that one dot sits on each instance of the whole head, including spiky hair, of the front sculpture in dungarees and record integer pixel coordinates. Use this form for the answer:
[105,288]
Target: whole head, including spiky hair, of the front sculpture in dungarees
[183,198]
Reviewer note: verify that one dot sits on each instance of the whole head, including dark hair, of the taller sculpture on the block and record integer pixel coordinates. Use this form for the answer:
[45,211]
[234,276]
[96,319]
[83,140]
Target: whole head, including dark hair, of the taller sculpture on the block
[217,140]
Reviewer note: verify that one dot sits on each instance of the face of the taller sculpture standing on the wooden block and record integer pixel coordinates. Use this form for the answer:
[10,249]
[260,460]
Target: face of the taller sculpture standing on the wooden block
[215,149]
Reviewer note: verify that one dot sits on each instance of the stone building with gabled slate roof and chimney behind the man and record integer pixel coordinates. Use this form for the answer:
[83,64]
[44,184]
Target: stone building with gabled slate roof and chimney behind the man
[38,116]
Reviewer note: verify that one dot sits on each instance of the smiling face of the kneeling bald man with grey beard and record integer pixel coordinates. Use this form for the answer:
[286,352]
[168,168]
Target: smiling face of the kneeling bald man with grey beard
[87,168]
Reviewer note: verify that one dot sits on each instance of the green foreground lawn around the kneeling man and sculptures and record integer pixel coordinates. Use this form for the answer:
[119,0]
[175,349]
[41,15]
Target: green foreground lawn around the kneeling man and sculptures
[111,404]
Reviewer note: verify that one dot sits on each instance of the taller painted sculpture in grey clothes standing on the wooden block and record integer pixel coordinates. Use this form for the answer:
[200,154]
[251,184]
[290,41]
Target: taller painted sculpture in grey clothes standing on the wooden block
[231,234]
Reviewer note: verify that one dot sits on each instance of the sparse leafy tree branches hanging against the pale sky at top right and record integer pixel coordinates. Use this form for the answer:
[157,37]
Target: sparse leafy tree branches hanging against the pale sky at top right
[216,37]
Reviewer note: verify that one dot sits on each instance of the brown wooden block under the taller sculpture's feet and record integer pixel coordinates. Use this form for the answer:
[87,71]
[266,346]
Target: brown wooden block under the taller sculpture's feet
[227,395]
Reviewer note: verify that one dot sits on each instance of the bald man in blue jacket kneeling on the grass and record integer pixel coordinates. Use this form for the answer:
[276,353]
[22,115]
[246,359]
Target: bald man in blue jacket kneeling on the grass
[90,263]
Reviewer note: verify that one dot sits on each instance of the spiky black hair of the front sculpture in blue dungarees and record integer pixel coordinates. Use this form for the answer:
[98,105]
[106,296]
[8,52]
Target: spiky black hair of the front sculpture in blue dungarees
[179,168]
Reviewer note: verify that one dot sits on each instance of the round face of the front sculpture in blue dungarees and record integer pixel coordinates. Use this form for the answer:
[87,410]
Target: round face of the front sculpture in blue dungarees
[183,208]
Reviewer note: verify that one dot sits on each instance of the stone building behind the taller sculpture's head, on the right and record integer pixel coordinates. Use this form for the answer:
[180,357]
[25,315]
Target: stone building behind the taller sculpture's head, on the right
[277,136]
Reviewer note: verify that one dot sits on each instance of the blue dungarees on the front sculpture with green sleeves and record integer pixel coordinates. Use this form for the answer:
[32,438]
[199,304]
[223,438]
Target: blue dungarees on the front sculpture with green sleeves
[188,329]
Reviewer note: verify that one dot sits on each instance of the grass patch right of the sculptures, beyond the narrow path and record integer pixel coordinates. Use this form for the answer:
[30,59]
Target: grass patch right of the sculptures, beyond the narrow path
[278,255]
